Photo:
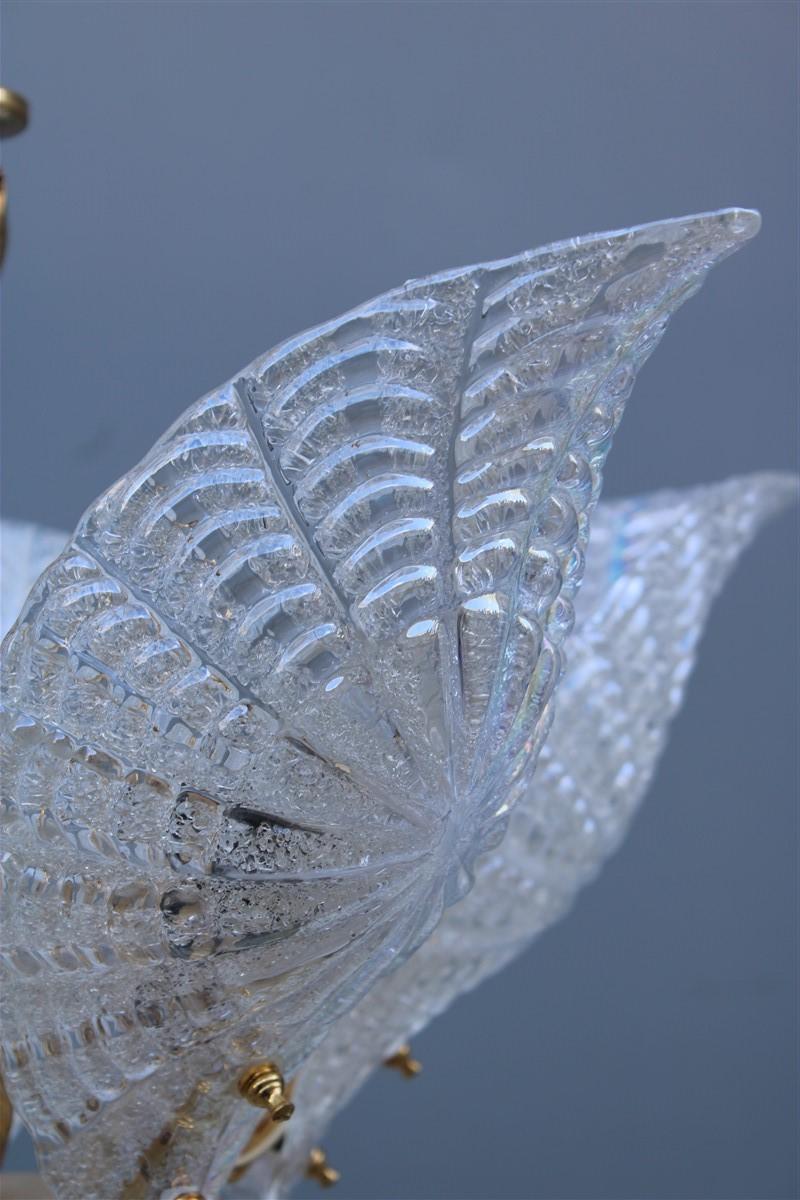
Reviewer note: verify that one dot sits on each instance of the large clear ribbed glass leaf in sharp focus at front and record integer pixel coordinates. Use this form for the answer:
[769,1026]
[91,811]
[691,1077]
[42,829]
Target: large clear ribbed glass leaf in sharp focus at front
[287,682]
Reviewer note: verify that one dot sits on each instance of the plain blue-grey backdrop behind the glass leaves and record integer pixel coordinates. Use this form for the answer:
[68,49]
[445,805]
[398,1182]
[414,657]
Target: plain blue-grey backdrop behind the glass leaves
[201,181]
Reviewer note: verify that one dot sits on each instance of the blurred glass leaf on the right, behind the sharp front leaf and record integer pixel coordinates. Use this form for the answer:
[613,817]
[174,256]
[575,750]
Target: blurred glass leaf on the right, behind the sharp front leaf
[654,567]
